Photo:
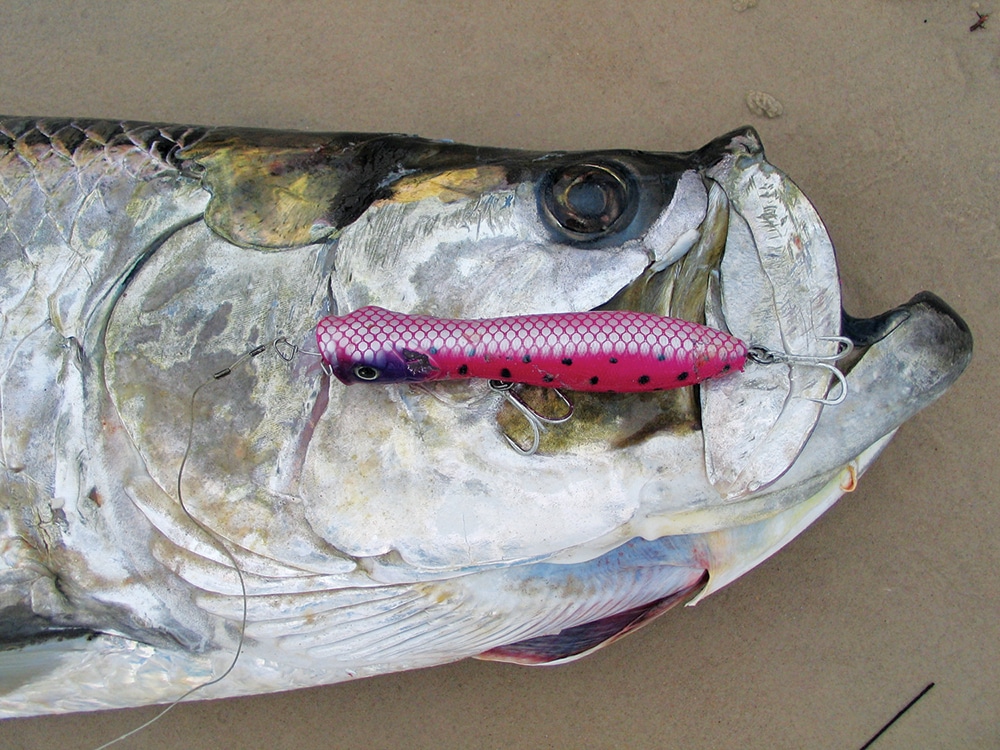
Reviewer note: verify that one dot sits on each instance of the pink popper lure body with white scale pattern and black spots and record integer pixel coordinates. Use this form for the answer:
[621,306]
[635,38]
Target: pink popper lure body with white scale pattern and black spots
[617,351]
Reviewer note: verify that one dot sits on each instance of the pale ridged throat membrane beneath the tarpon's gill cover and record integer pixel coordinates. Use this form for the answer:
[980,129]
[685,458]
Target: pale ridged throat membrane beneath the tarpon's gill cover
[371,629]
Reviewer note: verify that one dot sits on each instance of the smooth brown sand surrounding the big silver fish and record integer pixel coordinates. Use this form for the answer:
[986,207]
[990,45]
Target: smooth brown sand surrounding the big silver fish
[890,123]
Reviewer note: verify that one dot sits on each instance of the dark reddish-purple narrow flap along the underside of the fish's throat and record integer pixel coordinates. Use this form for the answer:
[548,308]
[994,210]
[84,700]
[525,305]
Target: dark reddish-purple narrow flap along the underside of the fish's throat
[579,641]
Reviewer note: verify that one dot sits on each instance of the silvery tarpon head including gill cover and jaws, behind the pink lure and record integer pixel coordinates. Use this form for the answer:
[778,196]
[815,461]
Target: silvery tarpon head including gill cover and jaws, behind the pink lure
[423,477]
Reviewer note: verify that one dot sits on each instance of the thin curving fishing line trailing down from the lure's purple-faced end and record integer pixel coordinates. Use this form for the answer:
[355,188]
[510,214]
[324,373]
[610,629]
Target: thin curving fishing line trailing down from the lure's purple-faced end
[216,539]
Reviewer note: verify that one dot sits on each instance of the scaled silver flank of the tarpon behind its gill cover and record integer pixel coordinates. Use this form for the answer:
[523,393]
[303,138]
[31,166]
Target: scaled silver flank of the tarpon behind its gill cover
[82,203]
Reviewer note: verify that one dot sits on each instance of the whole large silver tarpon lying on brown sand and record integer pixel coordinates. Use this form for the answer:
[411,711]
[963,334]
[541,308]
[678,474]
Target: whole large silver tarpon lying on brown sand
[184,479]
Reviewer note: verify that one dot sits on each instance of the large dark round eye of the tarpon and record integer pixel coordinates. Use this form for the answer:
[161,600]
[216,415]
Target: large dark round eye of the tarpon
[589,200]
